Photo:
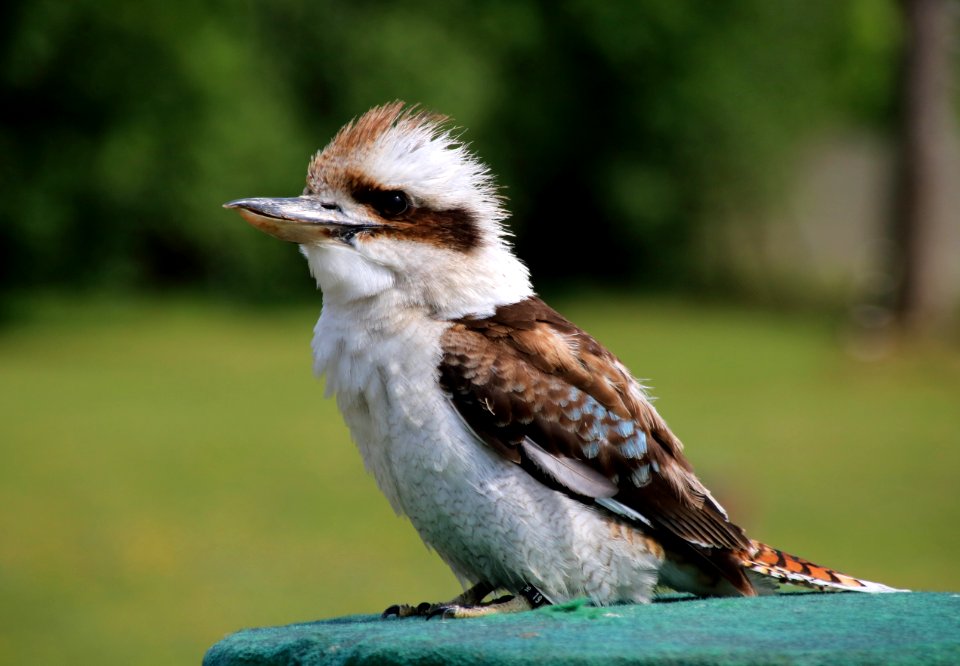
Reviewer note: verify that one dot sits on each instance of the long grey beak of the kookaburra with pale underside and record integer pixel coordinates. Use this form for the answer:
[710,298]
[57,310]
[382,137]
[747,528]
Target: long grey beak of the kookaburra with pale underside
[305,219]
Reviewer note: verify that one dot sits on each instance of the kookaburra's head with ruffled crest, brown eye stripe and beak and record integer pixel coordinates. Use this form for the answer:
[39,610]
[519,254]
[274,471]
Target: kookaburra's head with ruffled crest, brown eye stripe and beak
[396,205]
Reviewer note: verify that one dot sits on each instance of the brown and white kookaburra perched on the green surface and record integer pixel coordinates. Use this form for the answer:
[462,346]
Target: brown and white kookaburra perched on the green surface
[523,452]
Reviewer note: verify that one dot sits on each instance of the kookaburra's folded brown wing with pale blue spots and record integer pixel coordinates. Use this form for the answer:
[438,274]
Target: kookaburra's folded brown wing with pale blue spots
[533,386]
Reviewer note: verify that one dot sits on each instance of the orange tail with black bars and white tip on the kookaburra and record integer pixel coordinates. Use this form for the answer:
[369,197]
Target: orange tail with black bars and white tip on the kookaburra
[788,568]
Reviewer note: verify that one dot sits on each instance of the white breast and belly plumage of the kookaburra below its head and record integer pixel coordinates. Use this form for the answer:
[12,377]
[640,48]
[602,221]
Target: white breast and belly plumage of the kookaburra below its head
[485,516]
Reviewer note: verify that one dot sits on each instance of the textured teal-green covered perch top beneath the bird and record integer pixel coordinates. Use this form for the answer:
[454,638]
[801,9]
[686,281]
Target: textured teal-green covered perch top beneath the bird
[831,628]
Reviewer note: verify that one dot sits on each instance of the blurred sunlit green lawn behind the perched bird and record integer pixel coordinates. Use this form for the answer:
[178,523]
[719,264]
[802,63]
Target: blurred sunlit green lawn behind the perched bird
[172,472]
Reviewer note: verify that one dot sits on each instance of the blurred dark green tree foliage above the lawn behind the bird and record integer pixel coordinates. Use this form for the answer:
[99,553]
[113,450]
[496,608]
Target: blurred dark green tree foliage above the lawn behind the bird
[619,128]
